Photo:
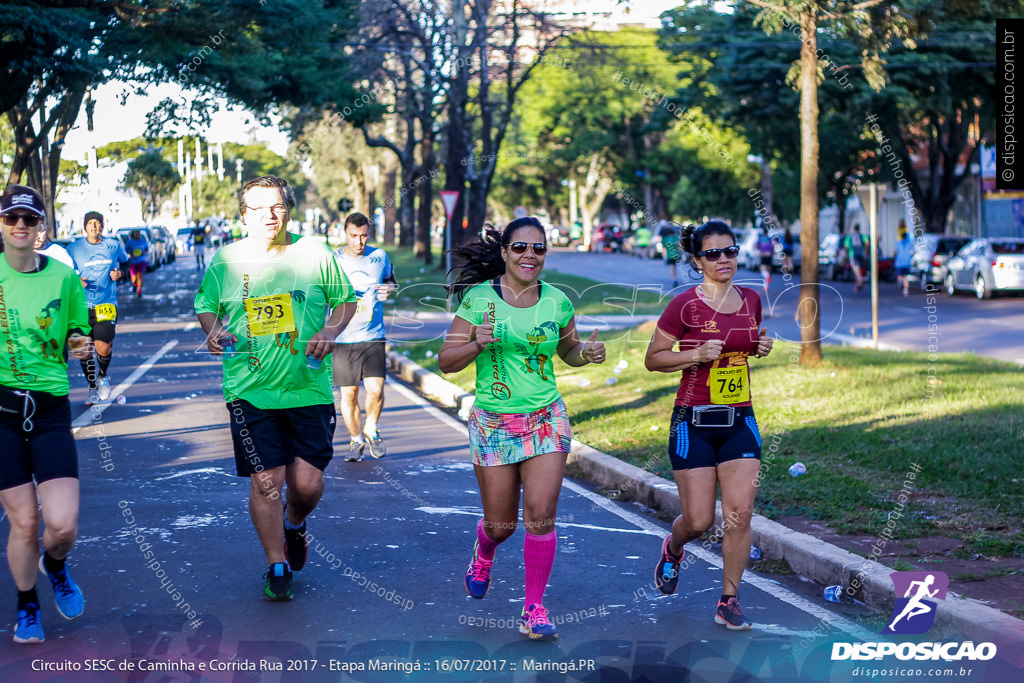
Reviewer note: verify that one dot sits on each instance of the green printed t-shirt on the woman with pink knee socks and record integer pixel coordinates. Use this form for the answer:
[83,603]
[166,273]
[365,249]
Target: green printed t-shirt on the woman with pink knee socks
[517,373]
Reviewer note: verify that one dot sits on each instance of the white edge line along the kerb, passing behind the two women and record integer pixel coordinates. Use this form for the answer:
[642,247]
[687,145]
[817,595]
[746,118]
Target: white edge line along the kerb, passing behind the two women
[778,591]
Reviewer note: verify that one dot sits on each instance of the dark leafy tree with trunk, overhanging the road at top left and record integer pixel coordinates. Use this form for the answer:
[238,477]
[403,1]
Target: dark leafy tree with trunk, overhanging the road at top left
[52,53]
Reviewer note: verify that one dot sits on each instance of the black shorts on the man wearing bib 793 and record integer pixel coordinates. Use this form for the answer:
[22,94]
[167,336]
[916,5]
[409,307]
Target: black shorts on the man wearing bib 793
[265,439]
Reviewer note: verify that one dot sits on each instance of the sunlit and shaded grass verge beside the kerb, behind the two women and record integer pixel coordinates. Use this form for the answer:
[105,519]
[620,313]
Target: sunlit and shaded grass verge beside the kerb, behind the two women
[859,422]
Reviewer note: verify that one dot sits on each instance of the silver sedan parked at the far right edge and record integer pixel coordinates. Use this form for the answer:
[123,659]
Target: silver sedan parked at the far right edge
[988,266]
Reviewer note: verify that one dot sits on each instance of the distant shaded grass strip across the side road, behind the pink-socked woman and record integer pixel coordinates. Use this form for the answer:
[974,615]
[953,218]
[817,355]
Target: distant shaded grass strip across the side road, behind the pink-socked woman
[422,289]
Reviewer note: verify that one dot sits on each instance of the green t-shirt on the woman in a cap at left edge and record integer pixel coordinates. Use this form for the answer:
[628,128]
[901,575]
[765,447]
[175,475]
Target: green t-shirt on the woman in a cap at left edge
[38,311]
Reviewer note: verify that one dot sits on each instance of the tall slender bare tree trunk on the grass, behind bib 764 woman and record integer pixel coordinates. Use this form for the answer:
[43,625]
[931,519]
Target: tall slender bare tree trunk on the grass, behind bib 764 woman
[808,309]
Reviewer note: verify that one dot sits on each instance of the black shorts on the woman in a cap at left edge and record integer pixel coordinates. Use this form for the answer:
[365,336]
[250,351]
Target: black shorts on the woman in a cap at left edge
[35,441]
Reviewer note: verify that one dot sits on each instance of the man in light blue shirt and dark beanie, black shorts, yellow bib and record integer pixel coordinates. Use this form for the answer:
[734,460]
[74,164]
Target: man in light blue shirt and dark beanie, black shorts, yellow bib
[100,261]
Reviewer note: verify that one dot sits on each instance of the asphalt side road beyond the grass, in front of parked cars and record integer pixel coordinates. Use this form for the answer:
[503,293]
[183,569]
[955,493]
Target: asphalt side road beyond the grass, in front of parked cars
[922,322]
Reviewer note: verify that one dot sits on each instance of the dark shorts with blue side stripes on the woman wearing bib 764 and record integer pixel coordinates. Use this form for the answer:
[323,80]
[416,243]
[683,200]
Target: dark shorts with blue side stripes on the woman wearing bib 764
[692,447]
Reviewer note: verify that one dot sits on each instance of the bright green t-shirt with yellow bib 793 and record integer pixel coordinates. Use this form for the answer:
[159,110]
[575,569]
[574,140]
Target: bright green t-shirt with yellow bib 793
[274,307]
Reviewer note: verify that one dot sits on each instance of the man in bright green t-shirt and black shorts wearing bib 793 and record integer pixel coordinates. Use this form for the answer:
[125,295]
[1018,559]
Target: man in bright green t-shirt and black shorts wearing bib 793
[263,305]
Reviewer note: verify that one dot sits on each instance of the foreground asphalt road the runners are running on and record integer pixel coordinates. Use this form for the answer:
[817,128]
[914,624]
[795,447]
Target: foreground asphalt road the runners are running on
[391,543]
